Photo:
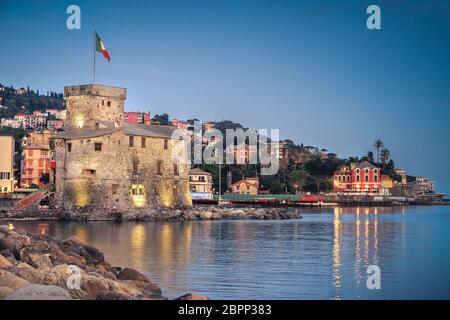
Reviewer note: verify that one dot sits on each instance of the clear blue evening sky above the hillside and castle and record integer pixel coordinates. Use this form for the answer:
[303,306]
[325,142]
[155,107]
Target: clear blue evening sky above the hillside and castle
[310,68]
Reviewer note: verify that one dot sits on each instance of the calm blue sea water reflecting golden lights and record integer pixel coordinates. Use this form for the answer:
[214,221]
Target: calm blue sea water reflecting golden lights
[323,255]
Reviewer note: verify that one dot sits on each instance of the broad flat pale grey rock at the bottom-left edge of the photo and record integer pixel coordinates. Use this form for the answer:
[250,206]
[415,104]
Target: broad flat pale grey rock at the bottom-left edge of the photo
[39,292]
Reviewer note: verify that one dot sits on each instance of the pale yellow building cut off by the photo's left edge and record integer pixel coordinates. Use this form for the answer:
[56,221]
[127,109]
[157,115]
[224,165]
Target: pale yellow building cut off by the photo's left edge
[6,164]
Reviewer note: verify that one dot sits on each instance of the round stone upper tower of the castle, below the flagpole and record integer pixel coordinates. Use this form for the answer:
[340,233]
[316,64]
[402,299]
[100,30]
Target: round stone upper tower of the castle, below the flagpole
[86,104]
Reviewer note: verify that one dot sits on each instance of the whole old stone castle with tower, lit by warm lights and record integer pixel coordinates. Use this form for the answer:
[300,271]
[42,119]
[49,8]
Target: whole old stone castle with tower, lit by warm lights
[104,163]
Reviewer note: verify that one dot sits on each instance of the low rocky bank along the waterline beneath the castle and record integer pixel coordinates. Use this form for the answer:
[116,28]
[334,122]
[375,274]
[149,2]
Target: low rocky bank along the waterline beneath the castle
[186,214]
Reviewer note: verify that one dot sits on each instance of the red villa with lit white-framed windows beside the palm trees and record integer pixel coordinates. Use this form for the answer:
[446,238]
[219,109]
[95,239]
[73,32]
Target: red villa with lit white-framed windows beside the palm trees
[361,177]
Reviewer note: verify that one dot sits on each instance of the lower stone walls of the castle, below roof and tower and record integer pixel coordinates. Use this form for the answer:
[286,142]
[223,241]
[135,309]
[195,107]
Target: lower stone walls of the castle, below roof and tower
[104,179]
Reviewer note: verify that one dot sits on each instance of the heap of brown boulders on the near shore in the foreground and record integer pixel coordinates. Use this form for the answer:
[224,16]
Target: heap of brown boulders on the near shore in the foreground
[40,267]
